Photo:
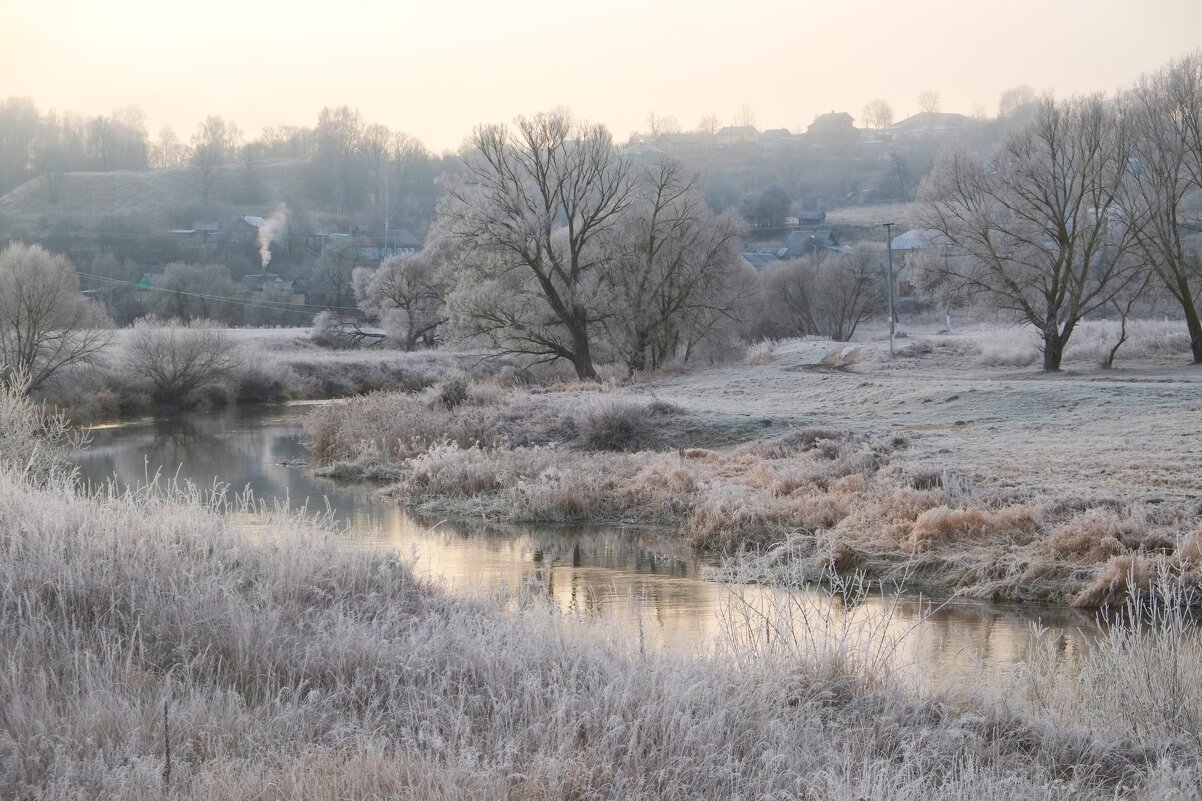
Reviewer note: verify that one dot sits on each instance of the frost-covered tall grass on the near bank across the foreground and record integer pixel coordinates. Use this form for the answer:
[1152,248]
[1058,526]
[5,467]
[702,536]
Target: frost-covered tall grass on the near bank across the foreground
[152,650]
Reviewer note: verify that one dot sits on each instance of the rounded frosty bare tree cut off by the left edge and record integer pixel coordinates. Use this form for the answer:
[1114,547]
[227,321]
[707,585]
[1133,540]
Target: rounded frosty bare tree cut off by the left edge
[46,325]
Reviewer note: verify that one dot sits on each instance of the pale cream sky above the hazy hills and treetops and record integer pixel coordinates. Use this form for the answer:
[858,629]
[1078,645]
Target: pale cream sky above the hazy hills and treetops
[437,69]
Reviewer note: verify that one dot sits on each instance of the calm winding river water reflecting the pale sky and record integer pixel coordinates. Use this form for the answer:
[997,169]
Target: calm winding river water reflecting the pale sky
[650,590]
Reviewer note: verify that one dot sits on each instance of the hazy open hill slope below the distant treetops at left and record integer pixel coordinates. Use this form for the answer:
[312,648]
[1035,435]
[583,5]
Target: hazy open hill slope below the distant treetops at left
[158,199]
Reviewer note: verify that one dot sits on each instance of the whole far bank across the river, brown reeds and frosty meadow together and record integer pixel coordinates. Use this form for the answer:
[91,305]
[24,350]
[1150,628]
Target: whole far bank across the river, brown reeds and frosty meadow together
[935,471]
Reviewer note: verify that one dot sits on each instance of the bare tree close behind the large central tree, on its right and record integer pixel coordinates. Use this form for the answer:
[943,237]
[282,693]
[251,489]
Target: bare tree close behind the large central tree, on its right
[676,270]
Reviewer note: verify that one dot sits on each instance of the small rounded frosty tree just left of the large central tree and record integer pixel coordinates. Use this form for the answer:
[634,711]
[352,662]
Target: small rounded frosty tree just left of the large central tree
[409,294]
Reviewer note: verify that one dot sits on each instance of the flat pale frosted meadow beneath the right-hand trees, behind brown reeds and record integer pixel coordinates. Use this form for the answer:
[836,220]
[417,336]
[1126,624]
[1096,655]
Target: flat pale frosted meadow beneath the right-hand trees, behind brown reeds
[1132,434]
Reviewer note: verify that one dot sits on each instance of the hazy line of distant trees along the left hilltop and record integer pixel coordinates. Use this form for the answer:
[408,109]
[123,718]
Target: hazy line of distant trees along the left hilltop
[355,167]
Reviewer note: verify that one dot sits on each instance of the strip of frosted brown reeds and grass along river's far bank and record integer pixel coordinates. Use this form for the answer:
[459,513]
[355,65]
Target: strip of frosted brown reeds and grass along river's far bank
[838,499]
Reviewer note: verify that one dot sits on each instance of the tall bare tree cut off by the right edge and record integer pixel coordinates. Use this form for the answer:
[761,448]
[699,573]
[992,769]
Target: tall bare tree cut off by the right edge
[1165,183]
